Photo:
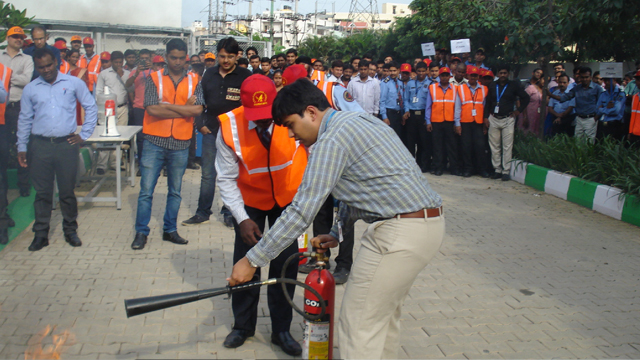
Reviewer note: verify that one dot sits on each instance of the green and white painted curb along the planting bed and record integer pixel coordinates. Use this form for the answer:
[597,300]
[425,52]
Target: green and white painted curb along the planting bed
[601,198]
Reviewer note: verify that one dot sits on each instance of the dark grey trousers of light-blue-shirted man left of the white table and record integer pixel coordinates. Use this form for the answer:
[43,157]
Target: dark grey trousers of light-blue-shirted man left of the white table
[48,161]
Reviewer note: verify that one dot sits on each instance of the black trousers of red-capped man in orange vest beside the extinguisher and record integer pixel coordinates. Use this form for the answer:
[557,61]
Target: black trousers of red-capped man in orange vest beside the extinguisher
[245,303]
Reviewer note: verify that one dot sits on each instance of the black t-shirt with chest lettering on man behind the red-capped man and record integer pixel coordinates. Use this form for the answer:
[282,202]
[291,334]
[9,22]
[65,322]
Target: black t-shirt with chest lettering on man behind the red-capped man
[220,94]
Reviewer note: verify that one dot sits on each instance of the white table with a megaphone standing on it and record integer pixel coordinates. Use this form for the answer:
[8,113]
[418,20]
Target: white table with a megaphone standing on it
[104,143]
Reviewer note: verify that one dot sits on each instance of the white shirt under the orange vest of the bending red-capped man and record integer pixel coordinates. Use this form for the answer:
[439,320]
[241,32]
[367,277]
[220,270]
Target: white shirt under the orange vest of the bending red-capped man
[228,169]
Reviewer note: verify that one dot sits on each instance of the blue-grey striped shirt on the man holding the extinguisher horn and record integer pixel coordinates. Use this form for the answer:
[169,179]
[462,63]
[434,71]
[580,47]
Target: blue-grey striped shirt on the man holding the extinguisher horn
[362,162]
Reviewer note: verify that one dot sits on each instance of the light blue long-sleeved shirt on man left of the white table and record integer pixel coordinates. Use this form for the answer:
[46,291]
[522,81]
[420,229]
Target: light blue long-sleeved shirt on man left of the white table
[50,109]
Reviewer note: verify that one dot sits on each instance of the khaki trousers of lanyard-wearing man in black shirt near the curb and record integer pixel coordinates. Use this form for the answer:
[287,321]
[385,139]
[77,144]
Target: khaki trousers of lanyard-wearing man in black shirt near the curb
[501,143]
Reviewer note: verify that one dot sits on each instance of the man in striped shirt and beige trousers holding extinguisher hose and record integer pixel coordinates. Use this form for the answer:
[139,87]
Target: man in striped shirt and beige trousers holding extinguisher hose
[360,161]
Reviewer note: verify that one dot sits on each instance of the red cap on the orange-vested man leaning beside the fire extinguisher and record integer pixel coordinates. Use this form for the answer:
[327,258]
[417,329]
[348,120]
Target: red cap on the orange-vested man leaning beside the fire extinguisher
[257,94]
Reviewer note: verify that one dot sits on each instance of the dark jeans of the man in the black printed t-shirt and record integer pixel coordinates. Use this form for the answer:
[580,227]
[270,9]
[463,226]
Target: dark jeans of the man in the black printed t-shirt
[208,179]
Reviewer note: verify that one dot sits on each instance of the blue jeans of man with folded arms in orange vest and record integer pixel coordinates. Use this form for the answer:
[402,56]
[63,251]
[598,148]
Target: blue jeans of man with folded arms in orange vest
[153,159]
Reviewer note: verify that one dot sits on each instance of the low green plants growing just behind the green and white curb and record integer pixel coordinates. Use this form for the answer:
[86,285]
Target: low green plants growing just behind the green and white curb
[609,161]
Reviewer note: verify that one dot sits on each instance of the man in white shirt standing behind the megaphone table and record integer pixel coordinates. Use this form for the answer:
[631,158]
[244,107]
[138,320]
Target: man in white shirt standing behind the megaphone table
[114,78]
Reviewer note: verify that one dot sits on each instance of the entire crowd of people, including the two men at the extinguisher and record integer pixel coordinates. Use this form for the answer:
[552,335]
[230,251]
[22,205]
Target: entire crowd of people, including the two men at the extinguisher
[352,127]
